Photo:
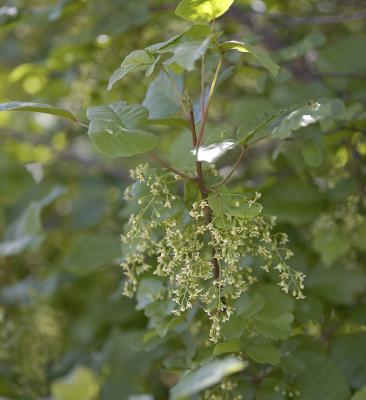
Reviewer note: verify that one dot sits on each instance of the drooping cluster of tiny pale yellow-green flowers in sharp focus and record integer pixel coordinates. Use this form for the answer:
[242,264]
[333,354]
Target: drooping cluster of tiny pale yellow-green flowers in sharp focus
[207,262]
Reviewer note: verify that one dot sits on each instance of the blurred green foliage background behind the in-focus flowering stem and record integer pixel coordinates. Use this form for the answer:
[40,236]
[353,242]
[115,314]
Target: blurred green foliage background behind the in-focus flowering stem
[65,330]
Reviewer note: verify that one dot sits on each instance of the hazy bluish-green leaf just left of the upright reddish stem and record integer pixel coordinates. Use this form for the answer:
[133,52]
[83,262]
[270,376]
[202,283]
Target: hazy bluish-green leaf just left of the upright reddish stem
[161,99]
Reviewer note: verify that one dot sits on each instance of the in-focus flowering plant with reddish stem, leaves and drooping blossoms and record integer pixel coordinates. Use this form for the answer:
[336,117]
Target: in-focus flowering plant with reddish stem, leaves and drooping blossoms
[200,254]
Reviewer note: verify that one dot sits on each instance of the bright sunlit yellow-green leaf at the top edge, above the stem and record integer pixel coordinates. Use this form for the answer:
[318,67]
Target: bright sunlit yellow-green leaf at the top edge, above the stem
[202,10]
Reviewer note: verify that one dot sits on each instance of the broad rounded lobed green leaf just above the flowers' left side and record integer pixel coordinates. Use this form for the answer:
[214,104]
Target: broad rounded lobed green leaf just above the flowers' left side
[113,131]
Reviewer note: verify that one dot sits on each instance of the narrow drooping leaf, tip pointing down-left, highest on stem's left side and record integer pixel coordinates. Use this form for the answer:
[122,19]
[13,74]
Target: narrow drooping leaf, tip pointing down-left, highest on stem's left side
[138,60]
